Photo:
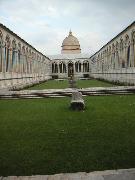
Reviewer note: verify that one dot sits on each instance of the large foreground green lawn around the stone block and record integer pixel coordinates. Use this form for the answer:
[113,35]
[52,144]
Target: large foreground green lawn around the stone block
[43,136]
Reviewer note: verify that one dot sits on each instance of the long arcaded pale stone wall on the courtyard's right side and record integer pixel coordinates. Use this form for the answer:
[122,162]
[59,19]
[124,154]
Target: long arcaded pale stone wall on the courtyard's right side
[116,60]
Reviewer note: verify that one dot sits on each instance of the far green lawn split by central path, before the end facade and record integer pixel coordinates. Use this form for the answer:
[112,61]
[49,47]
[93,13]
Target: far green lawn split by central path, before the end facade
[52,84]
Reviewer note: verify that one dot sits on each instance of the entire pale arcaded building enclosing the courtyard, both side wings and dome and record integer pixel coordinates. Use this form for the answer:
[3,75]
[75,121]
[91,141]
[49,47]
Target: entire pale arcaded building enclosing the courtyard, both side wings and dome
[22,65]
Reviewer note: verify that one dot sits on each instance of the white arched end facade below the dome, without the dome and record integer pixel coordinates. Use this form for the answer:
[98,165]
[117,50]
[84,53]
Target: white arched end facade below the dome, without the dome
[65,65]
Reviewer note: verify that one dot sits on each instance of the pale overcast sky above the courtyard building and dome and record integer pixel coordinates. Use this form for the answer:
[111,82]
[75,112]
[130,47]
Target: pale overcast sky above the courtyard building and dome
[45,23]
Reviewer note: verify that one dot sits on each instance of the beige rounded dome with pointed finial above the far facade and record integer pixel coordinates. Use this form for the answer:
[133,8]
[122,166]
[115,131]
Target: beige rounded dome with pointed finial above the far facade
[70,45]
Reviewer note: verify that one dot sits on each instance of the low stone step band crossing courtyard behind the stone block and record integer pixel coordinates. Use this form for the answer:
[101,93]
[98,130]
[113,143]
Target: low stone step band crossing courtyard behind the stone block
[101,91]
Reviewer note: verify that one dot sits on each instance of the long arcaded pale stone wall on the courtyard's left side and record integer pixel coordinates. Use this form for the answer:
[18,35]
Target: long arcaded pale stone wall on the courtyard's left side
[20,63]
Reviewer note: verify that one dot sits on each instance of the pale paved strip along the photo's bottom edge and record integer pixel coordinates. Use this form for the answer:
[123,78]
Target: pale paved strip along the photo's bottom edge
[122,174]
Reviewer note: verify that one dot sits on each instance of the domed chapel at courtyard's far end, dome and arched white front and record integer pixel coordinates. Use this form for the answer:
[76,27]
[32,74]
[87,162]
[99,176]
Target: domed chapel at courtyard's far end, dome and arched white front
[71,61]
